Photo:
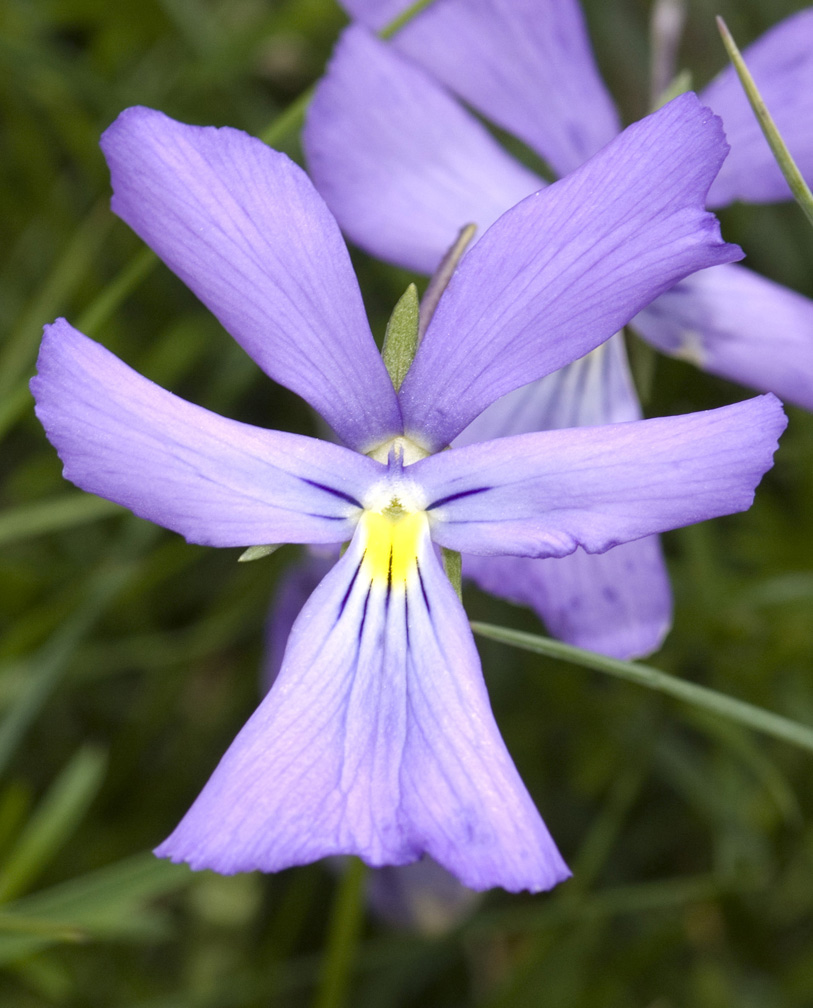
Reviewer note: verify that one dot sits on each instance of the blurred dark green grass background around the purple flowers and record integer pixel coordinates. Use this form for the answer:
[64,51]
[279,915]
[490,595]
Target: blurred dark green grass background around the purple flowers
[129,660]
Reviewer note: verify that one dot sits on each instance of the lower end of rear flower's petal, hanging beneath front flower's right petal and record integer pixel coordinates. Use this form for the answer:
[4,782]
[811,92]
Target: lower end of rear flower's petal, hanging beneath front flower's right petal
[618,603]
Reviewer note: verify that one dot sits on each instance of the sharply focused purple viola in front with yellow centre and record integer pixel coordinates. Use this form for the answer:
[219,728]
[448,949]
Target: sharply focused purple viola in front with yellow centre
[377,738]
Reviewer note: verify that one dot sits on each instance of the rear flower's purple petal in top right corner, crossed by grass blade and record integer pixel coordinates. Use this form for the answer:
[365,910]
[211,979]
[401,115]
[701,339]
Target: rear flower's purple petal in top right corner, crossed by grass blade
[781,63]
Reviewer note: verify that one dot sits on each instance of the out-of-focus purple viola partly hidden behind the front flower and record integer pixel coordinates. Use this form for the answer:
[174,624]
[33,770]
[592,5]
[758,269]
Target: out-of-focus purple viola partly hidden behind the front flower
[404,172]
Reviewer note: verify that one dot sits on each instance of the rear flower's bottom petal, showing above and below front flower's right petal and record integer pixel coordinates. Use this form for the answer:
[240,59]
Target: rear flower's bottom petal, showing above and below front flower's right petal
[618,603]
